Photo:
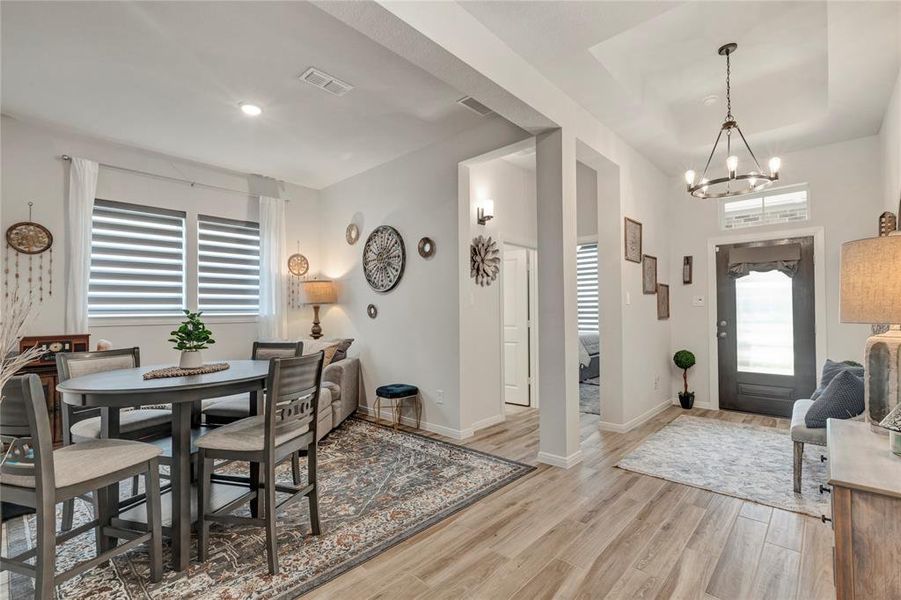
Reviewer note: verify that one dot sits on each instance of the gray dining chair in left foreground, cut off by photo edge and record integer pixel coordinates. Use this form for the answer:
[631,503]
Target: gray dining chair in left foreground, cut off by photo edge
[32,474]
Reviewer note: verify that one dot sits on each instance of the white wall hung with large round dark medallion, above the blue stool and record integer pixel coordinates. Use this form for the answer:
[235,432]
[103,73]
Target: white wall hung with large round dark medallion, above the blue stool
[416,337]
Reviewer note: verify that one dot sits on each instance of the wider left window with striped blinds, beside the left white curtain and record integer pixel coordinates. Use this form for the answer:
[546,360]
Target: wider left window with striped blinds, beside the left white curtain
[137,261]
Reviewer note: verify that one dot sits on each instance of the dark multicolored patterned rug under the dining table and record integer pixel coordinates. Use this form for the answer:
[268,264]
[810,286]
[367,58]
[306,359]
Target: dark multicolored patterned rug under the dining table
[379,487]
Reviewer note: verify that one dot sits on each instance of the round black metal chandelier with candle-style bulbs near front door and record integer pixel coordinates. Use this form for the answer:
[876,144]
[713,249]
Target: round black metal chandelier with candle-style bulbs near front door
[734,183]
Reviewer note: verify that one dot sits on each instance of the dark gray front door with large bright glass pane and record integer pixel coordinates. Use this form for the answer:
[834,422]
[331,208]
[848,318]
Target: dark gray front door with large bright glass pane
[765,325]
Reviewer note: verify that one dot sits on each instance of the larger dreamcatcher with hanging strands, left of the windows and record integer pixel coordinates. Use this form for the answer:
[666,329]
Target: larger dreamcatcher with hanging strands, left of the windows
[29,239]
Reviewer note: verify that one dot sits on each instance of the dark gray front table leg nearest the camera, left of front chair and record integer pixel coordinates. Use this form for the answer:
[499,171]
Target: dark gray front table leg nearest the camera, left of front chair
[181,485]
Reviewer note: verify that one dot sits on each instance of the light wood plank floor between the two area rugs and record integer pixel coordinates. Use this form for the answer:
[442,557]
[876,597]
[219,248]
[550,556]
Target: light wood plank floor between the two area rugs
[595,531]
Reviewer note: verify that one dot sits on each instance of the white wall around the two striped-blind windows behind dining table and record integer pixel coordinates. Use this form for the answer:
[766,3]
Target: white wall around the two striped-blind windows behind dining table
[33,171]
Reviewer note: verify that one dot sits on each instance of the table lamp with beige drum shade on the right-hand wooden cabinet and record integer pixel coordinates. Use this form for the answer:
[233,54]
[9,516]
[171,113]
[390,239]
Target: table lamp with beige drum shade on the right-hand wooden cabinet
[871,293]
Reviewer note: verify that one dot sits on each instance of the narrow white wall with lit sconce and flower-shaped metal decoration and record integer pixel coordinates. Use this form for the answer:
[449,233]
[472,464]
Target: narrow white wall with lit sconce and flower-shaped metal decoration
[481,341]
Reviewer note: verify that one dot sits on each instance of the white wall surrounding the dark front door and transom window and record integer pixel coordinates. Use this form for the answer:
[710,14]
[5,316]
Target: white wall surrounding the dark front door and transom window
[846,207]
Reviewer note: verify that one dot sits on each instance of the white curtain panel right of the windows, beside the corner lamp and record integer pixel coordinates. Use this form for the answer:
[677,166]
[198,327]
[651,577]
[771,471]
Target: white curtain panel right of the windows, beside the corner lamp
[273,320]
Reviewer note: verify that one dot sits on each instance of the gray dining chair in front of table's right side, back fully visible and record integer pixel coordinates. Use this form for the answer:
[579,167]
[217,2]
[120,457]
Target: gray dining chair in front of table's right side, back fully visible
[288,425]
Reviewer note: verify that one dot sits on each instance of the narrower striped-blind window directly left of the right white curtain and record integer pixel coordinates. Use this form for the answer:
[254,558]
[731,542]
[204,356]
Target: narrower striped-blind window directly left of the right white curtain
[228,266]
